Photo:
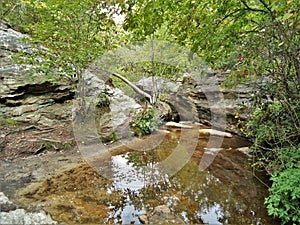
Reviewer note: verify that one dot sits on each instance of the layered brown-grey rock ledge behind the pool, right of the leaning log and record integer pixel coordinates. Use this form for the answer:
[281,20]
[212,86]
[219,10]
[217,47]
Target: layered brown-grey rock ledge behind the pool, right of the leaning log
[204,100]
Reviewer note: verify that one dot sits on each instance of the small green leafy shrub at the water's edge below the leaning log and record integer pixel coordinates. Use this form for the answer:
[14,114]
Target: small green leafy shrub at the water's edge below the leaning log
[144,123]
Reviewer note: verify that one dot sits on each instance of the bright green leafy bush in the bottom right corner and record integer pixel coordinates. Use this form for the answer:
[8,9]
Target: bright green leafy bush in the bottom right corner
[283,201]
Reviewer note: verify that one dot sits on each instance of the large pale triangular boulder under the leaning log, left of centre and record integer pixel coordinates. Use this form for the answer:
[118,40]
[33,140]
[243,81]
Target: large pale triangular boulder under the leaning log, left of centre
[102,111]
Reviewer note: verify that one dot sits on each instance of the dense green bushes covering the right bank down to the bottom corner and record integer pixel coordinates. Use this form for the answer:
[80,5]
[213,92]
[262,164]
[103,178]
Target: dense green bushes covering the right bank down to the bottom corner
[276,131]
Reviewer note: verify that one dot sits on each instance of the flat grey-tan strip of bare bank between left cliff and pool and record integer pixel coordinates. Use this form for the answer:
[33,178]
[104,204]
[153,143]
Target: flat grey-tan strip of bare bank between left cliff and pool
[19,172]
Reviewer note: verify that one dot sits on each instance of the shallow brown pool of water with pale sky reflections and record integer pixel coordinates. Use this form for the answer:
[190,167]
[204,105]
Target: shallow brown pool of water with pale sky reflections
[226,192]
